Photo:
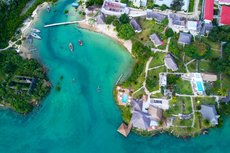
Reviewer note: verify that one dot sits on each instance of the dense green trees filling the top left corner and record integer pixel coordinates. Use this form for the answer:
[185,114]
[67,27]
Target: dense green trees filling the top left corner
[11,20]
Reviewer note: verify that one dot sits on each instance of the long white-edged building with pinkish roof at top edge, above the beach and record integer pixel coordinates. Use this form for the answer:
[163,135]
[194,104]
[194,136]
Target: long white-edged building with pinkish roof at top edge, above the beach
[111,7]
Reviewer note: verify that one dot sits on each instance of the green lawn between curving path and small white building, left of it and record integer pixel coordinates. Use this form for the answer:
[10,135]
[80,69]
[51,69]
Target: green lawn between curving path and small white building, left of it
[152,82]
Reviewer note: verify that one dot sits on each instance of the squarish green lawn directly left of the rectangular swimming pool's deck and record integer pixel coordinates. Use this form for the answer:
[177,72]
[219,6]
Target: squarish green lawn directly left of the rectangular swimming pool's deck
[183,87]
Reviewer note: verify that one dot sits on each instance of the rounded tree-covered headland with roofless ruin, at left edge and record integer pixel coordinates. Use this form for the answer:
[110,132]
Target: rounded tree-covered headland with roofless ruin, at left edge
[16,93]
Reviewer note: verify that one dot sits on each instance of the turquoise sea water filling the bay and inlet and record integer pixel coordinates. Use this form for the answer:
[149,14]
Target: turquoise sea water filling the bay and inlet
[79,119]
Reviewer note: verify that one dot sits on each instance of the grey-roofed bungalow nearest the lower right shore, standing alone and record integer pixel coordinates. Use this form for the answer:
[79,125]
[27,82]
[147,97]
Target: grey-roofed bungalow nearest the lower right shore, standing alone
[209,112]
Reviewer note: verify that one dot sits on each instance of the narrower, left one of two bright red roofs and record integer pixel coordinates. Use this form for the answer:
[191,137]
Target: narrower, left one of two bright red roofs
[208,9]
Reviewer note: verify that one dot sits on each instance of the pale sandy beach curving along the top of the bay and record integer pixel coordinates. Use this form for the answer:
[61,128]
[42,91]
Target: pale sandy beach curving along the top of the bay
[107,30]
